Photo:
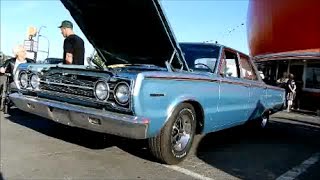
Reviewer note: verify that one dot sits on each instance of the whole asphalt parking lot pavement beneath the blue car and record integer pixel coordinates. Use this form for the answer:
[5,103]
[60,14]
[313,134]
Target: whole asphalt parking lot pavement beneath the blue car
[36,148]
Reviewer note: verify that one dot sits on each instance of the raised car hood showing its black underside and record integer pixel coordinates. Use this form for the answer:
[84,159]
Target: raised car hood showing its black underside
[127,31]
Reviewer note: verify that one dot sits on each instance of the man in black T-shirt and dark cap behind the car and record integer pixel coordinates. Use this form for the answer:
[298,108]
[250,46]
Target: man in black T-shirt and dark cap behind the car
[73,45]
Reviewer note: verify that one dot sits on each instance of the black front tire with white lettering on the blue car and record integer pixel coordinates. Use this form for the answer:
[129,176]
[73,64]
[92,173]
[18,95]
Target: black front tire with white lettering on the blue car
[162,147]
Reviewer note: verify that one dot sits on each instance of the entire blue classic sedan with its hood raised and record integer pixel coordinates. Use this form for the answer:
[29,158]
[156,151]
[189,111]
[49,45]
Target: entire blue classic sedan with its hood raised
[153,87]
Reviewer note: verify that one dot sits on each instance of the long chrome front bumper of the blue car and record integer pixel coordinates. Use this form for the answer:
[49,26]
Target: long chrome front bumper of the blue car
[83,117]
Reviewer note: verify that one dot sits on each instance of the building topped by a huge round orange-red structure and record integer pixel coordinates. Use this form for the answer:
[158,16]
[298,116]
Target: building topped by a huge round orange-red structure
[284,36]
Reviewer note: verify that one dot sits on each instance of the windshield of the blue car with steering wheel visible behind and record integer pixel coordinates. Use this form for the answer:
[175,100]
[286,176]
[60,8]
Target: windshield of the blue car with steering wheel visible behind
[200,57]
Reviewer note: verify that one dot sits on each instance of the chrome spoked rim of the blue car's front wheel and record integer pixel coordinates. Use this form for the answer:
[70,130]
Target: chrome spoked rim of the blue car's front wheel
[182,130]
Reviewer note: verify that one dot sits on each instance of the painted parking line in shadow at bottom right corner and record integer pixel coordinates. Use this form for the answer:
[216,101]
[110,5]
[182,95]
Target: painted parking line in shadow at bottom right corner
[296,171]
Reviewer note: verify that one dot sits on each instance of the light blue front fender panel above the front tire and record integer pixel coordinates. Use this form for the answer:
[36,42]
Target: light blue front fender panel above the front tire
[156,98]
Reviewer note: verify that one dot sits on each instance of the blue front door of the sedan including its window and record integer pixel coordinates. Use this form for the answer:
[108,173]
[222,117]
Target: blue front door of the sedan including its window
[234,93]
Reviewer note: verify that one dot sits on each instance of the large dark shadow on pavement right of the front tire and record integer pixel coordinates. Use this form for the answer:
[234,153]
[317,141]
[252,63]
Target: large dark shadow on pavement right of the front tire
[248,153]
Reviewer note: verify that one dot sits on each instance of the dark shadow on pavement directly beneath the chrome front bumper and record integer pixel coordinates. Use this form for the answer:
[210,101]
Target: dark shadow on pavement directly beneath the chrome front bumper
[81,137]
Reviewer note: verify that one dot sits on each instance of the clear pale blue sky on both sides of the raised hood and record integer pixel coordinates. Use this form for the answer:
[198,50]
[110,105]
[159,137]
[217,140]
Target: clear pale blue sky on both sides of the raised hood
[191,20]
